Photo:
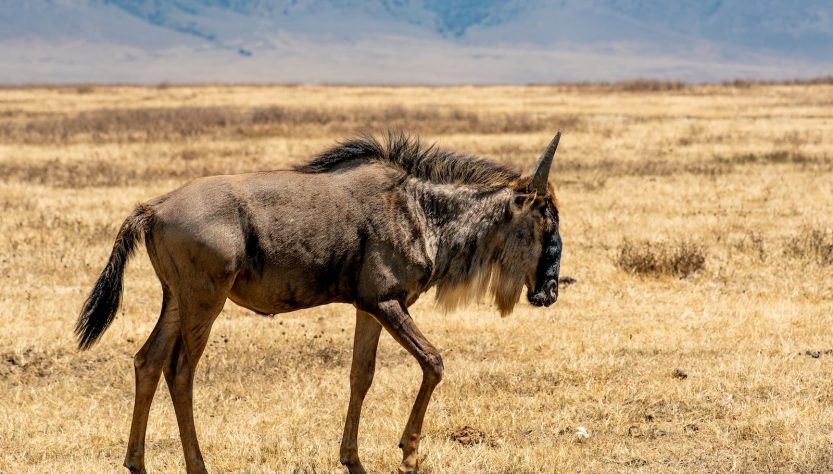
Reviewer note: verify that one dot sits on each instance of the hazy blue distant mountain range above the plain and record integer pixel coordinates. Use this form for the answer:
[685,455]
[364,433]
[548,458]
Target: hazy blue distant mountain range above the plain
[412,41]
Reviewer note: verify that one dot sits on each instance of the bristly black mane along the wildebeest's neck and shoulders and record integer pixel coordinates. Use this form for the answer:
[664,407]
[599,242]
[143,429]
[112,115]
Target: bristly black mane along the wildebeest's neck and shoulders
[410,155]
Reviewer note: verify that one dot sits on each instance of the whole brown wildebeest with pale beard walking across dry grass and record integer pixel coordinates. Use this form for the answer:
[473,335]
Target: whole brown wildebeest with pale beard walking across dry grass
[374,224]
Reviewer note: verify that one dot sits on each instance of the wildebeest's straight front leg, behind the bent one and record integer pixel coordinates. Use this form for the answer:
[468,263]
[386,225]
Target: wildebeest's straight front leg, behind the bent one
[361,376]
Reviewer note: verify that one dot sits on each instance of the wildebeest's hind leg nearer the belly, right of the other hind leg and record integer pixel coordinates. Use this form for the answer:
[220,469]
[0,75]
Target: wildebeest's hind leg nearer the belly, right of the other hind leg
[199,308]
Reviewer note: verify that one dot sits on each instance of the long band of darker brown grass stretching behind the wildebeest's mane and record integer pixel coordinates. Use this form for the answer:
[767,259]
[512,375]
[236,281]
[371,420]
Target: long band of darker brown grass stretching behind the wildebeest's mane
[153,124]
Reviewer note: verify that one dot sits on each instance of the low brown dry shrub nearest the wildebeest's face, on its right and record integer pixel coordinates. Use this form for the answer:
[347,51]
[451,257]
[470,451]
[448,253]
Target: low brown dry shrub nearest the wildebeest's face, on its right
[680,259]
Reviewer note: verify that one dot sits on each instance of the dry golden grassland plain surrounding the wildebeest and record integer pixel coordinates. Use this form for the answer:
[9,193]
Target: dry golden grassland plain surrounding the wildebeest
[697,337]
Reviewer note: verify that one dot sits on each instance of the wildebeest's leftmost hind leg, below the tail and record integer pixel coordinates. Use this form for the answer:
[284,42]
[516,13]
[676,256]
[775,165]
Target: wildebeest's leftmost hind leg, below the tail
[148,364]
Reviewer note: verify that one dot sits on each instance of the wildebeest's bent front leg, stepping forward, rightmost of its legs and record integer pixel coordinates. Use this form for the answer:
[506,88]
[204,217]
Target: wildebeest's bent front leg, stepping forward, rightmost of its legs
[395,318]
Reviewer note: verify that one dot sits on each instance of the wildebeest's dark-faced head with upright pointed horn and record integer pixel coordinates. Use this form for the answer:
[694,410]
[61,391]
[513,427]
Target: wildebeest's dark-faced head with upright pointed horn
[536,216]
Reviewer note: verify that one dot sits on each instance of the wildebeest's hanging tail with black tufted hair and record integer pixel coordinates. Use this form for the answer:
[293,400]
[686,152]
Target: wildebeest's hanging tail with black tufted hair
[100,308]
